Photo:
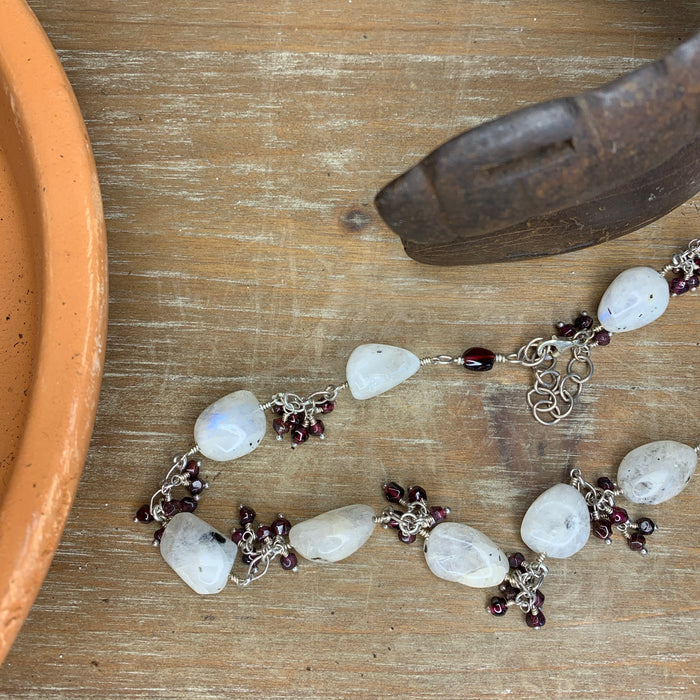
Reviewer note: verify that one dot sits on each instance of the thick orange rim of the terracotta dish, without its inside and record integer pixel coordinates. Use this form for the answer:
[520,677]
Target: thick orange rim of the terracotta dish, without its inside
[70,248]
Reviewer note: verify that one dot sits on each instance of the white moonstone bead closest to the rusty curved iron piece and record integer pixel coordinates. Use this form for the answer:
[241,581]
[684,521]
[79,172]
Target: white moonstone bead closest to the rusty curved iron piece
[635,298]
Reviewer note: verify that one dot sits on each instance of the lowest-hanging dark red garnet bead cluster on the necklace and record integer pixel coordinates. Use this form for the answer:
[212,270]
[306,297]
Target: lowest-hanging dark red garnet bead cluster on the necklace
[521,588]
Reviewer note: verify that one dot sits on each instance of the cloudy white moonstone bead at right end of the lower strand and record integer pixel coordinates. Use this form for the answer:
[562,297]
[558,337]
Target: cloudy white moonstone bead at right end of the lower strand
[657,471]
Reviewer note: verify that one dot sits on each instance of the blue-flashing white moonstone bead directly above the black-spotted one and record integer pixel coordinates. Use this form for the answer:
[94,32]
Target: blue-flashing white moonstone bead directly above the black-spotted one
[231,427]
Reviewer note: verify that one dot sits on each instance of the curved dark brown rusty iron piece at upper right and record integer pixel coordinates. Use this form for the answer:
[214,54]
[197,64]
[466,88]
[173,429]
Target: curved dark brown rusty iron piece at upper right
[559,175]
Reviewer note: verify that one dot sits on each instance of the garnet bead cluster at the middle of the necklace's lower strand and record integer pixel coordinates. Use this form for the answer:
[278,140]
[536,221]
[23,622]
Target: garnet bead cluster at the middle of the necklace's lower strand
[416,518]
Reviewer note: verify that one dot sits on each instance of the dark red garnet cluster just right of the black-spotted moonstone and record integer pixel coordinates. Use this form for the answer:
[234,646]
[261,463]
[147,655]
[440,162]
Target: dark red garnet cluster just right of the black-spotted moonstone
[259,543]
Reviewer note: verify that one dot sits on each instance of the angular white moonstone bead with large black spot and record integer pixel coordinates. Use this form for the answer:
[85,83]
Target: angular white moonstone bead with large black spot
[201,556]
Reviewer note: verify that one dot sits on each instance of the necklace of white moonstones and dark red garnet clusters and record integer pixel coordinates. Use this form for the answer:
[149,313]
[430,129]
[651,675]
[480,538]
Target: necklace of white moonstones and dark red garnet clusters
[556,525]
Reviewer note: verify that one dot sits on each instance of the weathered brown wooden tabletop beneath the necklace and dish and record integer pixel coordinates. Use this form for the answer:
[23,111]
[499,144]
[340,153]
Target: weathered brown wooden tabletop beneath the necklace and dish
[239,146]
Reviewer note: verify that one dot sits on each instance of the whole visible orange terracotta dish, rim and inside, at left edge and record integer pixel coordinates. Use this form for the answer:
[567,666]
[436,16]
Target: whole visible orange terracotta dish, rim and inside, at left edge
[52,307]
